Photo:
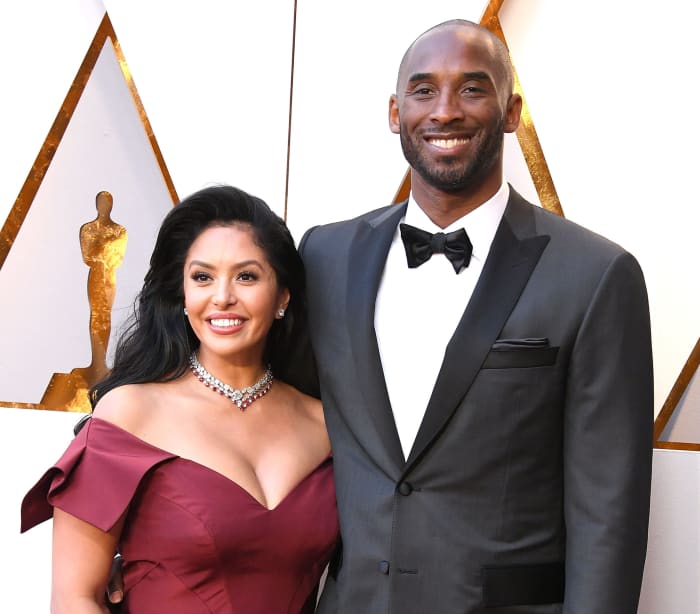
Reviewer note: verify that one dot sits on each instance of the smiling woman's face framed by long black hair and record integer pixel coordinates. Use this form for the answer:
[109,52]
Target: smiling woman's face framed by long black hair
[231,294]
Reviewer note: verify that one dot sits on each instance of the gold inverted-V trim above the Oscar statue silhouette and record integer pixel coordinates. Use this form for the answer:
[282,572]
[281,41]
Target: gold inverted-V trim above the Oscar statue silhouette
[36,175]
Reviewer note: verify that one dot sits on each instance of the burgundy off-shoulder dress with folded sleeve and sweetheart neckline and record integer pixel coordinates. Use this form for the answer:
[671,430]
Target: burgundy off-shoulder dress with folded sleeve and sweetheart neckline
[193,541]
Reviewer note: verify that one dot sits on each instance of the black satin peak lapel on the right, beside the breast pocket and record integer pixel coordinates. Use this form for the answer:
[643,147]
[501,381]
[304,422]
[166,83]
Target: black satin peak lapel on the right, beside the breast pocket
[506,272]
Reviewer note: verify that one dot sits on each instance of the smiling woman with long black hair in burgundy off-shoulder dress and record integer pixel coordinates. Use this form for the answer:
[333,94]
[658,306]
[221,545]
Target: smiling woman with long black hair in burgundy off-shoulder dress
[209,474]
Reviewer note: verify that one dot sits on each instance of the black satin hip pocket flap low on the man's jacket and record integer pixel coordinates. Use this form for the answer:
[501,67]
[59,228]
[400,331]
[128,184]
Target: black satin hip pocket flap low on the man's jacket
[510,585]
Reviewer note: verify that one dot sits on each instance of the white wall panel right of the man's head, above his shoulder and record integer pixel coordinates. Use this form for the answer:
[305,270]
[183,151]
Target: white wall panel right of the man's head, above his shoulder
[611,88]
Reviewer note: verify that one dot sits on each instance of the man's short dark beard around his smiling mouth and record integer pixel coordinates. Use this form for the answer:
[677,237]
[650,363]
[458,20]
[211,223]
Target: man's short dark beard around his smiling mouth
[453,173]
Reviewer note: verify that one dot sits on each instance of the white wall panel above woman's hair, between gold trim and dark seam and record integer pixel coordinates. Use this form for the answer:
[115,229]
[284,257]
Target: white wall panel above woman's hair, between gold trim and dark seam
[214,79]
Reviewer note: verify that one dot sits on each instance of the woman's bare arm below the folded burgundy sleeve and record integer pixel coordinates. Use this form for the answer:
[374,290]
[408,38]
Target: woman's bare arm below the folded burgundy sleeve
[82,557]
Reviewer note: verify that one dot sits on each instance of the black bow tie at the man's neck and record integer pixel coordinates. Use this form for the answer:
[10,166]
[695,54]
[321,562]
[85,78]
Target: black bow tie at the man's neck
[421,245]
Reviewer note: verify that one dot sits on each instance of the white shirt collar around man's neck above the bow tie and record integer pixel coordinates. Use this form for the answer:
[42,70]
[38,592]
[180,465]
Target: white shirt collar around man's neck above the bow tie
[480,223]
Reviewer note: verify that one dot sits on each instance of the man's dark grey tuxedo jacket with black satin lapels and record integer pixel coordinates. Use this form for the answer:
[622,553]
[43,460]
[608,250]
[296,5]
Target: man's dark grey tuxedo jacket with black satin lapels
[527,488]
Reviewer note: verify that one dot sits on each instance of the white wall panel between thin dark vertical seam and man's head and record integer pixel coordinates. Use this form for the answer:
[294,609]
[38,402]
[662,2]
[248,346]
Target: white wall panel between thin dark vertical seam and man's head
[344,159]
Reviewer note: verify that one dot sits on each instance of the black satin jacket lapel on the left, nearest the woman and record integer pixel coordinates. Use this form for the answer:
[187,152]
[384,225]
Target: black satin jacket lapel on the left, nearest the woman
[368,255]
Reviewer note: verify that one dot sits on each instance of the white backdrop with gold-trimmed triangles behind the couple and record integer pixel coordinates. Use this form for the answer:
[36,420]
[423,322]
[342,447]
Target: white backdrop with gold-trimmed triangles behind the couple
[289,100]
